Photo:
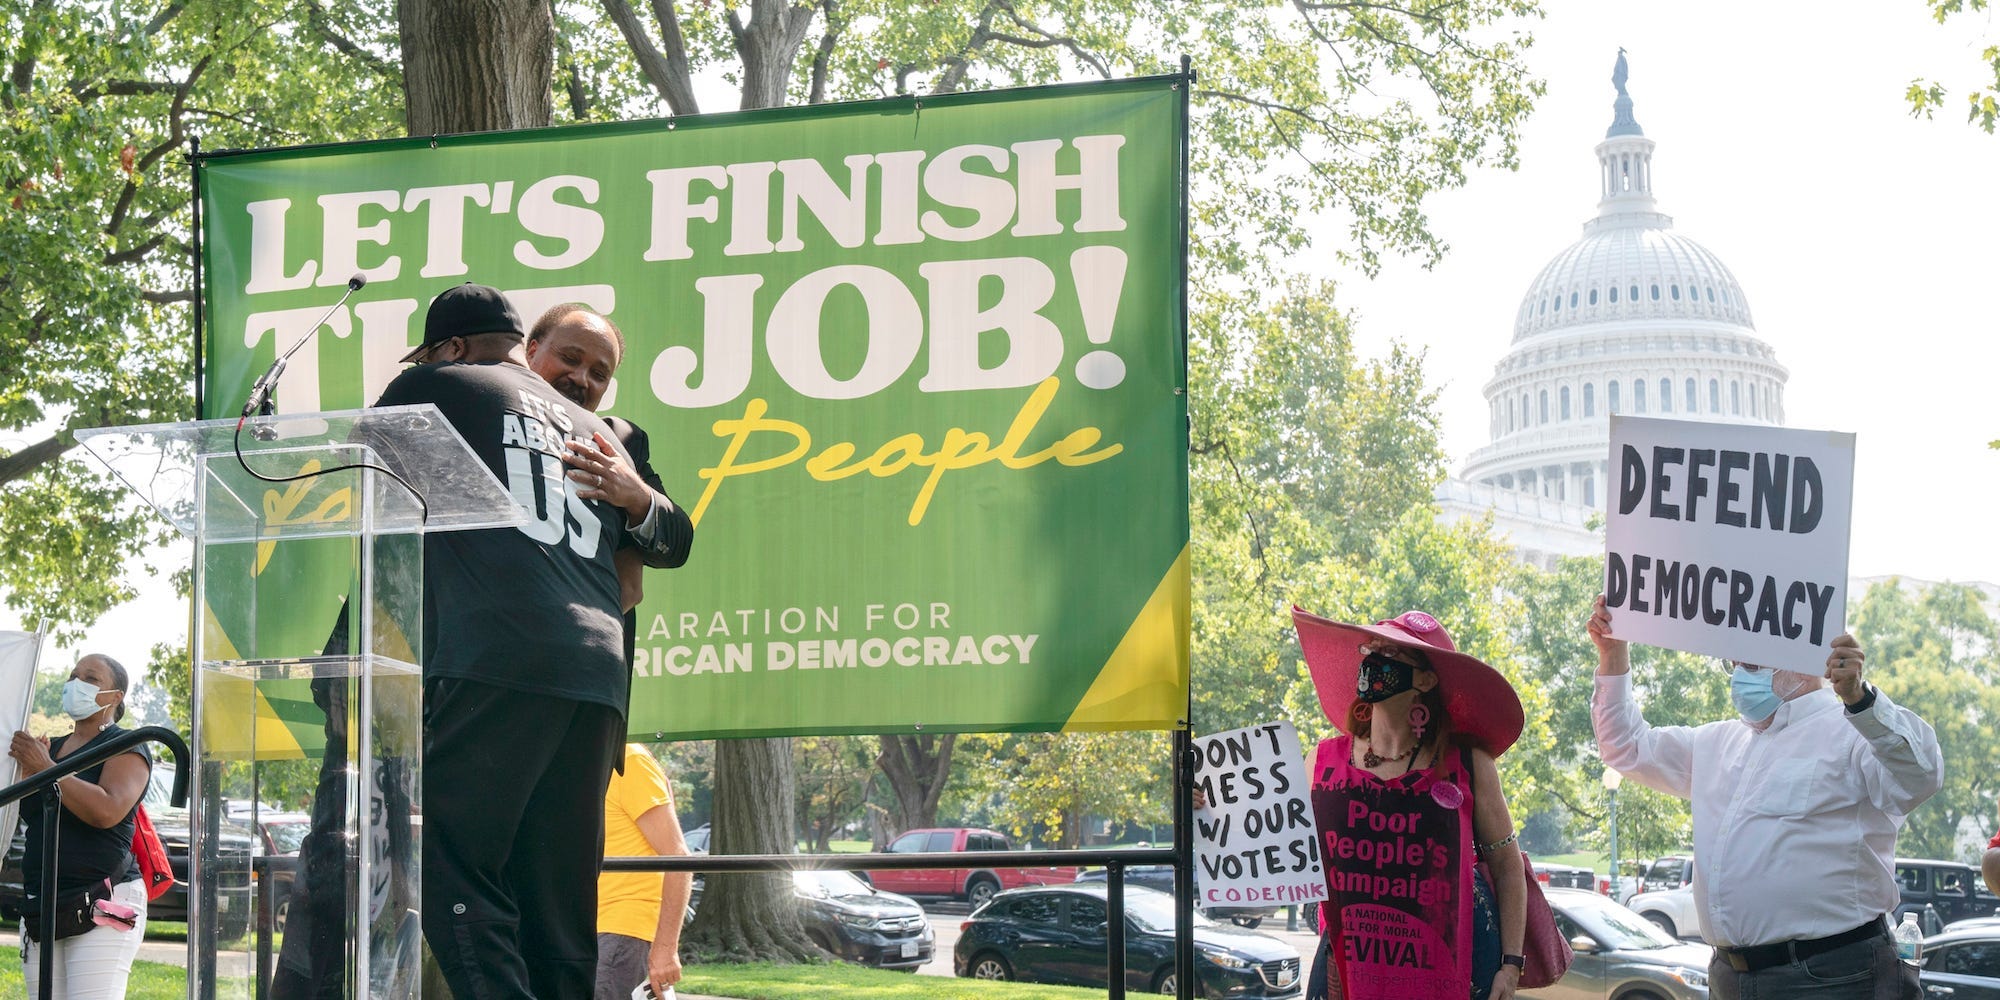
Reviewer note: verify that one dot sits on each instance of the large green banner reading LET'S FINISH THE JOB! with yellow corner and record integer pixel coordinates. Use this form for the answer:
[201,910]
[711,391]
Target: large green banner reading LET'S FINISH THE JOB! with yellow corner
[915,367]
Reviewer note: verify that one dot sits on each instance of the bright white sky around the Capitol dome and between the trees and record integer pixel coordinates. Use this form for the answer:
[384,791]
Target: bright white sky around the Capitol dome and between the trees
[1863,239]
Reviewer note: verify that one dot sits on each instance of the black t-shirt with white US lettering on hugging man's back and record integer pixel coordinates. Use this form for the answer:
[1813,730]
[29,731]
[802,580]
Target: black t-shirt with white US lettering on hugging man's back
[537,607]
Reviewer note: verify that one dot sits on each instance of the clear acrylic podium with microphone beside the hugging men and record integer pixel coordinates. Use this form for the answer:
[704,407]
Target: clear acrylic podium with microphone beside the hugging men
[309,613]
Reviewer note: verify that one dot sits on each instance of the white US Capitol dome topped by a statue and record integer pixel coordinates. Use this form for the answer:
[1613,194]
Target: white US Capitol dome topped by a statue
[1631,319]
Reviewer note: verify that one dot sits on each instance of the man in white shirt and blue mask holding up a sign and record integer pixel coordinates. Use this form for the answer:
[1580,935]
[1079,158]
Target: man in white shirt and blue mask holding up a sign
[1797,807]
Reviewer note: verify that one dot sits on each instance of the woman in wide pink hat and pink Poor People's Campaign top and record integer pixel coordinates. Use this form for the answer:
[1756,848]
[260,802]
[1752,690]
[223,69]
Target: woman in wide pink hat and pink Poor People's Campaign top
[1407,801]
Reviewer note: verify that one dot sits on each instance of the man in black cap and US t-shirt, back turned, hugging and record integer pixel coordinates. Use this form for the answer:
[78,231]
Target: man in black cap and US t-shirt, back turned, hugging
[525,679]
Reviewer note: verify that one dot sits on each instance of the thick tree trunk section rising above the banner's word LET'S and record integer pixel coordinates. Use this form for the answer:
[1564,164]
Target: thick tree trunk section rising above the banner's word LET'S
[477,67]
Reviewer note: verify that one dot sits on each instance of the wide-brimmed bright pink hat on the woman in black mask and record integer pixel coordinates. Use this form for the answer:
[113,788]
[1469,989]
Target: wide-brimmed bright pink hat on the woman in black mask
[1481,703]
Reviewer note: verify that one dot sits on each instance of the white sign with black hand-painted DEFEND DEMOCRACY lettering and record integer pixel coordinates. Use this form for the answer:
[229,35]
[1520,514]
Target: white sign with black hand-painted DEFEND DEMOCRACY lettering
[1729,539]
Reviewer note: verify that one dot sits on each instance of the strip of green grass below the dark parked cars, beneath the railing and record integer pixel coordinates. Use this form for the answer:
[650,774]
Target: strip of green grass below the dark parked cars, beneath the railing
[857,983]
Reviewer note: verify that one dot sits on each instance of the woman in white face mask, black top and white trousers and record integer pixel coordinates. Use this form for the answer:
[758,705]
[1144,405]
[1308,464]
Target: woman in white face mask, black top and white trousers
[93,841]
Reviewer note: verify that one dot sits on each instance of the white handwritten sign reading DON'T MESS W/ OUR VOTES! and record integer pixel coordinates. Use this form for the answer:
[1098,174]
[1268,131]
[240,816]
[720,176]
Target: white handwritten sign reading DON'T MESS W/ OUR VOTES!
[1255,841]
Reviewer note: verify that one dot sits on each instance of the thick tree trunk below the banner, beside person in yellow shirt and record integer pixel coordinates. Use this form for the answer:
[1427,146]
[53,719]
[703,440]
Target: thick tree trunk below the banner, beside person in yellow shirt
[751,917]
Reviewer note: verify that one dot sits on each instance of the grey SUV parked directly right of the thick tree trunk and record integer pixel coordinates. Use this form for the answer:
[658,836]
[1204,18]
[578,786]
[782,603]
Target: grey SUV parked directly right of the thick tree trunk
[863,925]
